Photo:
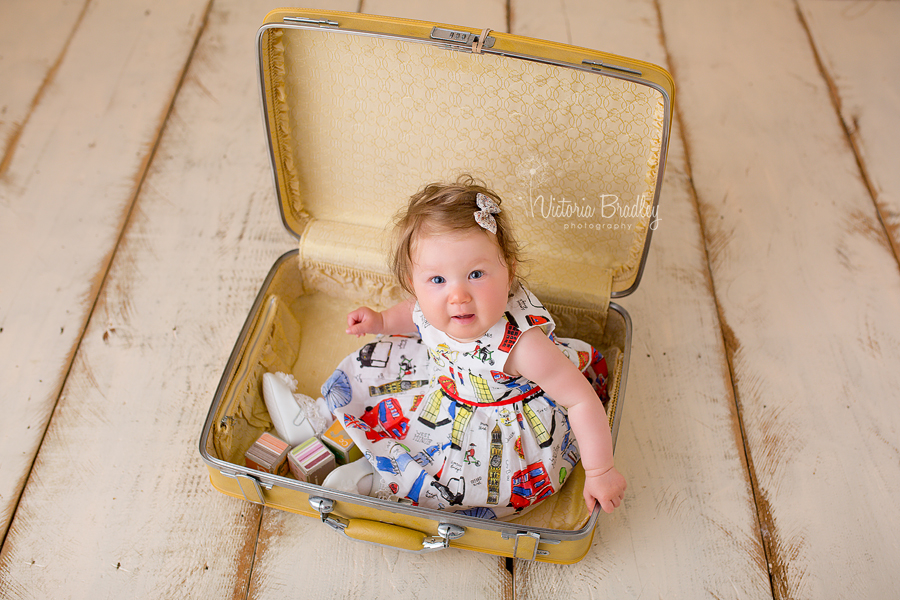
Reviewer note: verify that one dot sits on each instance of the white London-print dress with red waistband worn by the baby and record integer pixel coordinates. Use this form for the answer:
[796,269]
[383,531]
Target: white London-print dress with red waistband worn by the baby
[446,428]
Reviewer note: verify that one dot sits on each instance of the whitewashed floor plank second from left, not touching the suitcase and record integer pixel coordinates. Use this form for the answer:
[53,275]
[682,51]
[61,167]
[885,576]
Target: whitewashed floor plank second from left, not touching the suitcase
[64,197]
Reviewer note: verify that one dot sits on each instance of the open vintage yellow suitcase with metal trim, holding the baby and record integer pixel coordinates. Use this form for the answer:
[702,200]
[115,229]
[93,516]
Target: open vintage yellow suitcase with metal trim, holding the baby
[361,111]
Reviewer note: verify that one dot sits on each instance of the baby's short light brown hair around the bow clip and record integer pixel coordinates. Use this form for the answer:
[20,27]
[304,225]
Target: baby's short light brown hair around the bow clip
[447,207]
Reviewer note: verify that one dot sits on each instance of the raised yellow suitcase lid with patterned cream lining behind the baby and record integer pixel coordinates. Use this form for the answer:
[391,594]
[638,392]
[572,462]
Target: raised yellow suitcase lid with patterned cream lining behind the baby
[362,111]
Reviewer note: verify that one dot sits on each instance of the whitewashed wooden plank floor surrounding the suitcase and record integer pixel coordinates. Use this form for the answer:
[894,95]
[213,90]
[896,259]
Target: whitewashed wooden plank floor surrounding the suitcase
[761,433]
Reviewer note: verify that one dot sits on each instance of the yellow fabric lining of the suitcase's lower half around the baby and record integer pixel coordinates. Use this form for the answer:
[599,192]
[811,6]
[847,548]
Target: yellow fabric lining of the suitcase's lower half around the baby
[299,329]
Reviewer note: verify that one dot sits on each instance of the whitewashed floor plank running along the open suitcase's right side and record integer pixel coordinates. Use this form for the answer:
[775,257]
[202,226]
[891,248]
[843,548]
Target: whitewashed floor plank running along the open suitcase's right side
[688,527]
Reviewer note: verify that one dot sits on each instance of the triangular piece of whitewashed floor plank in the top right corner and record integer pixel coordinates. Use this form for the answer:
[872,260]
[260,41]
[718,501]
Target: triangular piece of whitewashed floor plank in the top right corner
[856,45]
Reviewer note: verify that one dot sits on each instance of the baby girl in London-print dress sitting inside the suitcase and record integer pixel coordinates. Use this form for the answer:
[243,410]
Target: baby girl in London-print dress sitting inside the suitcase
[469,402]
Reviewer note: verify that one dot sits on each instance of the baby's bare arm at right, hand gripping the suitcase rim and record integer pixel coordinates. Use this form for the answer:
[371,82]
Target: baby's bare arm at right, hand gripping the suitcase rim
[537,358]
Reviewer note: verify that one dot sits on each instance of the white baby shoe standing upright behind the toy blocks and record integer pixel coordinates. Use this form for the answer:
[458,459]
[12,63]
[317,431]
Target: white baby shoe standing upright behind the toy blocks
[296,417]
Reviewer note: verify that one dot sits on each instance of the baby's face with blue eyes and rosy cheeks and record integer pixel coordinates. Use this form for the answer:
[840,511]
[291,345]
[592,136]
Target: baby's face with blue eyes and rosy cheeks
[460,282]
